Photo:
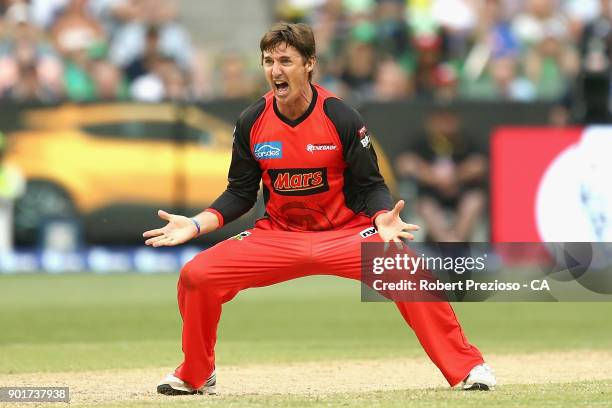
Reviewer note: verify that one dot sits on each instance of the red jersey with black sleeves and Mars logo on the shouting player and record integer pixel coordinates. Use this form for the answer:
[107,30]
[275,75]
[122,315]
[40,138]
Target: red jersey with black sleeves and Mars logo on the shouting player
[318,171]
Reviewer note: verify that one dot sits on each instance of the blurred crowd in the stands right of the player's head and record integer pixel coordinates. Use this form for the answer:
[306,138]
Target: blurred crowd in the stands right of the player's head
[520,50]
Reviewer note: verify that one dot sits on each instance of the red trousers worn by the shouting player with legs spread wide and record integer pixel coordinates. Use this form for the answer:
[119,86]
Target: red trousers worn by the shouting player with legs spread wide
[264,256]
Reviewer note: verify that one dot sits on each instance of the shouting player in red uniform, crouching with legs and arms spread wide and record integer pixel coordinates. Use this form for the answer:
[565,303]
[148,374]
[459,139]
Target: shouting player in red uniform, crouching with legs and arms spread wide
[324,196]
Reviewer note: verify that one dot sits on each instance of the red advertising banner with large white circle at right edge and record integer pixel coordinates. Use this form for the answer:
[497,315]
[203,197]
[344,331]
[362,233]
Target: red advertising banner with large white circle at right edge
[551,184]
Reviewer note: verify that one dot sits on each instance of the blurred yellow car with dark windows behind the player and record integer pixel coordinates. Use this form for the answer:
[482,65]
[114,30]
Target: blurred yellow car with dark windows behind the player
[111,166]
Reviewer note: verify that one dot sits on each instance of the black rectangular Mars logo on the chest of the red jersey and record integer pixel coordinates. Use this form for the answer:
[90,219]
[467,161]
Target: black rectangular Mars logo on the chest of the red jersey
[301,182]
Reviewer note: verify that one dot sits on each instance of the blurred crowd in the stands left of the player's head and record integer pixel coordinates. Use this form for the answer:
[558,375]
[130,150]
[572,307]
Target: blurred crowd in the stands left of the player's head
[83,50]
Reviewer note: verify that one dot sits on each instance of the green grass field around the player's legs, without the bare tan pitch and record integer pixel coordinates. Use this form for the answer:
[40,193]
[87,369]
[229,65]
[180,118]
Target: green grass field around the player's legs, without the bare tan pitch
[80,322]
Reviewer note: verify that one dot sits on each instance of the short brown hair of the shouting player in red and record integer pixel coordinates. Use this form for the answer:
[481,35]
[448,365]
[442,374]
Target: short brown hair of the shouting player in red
[297,35]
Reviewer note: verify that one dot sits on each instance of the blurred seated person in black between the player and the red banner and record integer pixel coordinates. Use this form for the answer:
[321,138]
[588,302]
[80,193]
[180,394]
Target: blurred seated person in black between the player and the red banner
[449,174]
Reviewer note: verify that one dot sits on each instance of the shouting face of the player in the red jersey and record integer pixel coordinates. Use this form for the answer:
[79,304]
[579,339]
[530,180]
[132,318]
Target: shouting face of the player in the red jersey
[286,72]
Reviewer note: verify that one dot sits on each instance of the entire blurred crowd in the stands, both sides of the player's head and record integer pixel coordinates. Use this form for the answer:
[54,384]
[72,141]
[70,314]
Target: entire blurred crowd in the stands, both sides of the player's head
[518,50]
